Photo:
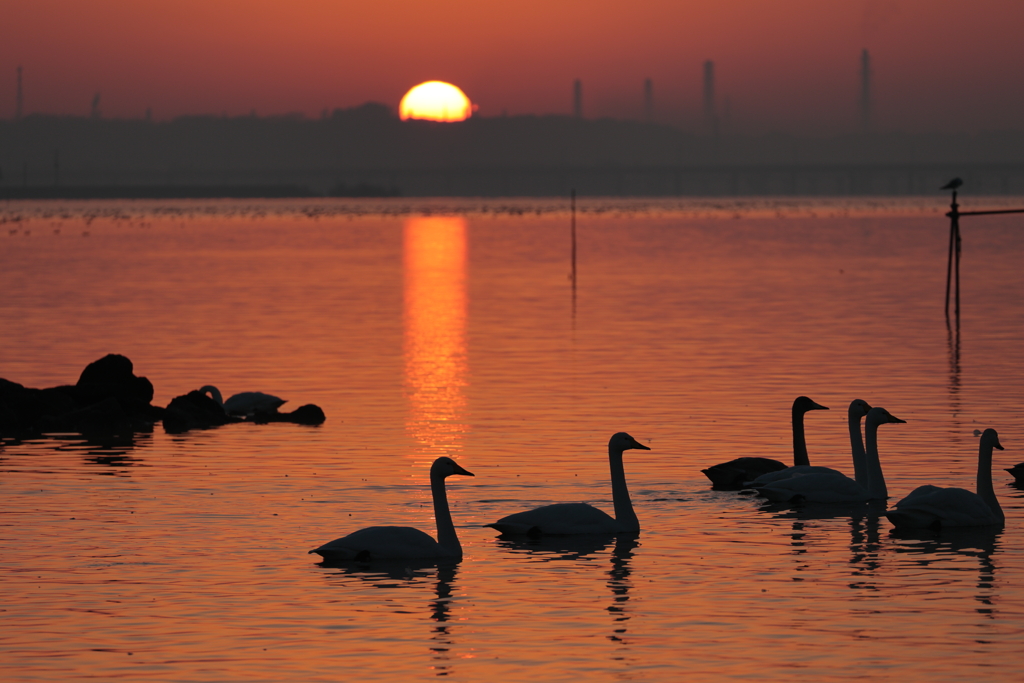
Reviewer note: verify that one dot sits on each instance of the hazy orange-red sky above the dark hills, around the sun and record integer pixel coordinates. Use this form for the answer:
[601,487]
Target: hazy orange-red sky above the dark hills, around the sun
[783,65]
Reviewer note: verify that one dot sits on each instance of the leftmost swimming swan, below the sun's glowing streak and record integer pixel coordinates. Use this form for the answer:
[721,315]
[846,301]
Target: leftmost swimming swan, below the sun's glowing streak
[405,543]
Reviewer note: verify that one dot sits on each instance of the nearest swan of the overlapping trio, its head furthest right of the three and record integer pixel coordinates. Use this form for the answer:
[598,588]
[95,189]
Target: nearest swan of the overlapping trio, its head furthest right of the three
[834,487]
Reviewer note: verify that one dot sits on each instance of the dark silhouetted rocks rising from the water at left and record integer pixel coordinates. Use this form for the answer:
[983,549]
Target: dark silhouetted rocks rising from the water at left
[110,399]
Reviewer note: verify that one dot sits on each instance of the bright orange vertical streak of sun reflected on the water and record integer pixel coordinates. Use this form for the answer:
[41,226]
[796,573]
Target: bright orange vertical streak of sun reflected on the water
[436,331]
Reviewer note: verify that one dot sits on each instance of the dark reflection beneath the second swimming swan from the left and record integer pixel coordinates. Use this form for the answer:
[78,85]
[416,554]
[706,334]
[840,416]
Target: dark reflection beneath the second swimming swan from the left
[554,549]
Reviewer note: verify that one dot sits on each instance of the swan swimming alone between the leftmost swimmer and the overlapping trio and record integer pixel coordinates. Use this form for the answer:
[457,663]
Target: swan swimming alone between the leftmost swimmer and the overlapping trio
[573,519]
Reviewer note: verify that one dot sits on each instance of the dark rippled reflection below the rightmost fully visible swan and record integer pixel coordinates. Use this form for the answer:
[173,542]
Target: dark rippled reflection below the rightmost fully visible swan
[933,550]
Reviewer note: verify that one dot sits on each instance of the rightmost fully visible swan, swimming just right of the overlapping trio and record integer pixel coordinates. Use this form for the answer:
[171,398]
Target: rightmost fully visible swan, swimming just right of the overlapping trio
[934,507]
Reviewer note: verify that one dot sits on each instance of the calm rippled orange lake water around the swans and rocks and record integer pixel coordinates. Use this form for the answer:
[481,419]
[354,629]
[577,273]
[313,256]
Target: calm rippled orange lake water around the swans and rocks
[451,328]
